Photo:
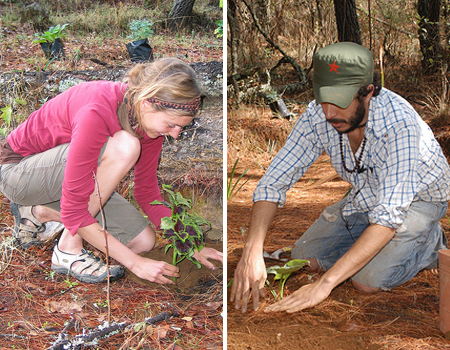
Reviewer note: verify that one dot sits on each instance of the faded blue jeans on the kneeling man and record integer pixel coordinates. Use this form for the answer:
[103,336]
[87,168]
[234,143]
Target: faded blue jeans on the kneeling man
[414,247]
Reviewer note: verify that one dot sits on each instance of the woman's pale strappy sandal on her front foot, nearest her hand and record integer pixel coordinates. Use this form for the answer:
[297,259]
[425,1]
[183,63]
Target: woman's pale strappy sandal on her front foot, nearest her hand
[86,271]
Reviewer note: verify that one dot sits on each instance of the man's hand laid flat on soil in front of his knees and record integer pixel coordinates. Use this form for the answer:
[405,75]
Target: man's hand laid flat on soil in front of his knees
[305,297]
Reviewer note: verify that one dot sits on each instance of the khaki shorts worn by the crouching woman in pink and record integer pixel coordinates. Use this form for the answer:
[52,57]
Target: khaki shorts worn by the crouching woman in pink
[37,180]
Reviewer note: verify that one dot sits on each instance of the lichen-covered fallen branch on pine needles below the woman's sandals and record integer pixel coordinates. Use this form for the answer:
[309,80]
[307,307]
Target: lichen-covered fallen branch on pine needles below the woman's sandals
[104,331]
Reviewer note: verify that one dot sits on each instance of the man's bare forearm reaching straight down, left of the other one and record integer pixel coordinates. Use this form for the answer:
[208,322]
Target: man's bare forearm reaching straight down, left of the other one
[262,216]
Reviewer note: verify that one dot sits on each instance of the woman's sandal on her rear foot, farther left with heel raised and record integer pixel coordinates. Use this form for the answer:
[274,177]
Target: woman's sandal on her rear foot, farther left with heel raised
[35,234]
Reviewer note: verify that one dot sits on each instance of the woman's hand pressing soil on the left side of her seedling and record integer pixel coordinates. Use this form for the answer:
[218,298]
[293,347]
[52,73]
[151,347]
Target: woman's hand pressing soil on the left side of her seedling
[154,271]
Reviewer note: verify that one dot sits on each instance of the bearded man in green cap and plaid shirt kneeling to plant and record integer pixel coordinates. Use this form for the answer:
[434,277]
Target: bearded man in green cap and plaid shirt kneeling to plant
[387,229]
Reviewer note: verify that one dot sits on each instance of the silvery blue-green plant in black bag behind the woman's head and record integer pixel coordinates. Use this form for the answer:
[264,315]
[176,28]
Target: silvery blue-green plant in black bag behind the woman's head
[139,49]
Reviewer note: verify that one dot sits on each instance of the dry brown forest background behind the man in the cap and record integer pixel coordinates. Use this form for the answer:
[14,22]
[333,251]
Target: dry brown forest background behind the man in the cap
[272,42]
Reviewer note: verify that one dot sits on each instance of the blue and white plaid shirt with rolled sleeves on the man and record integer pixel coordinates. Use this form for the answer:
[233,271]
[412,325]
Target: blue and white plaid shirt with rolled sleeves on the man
[403,162]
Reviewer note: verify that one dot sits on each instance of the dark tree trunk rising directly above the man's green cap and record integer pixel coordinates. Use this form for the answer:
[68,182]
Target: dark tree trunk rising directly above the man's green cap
[347,21]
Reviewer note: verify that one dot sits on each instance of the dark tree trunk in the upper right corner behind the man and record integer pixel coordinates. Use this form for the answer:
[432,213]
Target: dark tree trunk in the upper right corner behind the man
[429,11]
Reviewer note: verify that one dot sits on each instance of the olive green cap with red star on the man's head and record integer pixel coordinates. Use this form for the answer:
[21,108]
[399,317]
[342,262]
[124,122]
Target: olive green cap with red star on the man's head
[340,70]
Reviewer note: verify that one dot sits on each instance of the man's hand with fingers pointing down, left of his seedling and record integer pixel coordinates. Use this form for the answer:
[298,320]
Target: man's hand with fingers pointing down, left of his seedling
[251,275]
